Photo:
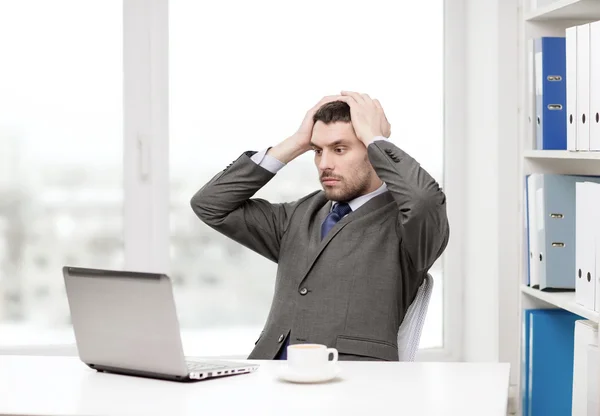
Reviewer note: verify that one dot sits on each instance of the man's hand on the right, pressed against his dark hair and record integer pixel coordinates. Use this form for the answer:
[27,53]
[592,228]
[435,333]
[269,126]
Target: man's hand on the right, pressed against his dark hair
[368,117]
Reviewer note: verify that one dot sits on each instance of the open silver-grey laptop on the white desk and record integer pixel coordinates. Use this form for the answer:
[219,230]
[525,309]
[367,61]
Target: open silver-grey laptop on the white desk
[126,323]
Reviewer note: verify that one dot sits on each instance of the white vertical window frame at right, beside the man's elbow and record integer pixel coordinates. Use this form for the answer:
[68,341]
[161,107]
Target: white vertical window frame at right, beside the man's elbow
[455,83]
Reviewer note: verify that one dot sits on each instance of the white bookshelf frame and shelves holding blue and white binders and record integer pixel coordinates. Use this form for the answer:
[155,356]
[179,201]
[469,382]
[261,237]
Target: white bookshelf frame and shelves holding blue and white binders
[549,20]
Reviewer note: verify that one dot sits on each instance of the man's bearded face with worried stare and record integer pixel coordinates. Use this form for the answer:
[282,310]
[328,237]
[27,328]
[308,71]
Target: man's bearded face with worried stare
[342,161]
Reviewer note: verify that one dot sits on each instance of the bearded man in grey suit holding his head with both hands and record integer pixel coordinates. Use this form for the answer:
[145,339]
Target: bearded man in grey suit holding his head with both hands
[350,257]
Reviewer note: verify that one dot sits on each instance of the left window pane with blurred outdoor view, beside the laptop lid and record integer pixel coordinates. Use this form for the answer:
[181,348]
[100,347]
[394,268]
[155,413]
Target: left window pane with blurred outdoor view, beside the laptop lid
[60,157]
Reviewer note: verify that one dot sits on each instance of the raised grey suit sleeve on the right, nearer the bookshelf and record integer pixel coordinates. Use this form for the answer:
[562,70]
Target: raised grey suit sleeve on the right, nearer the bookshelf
[422,224]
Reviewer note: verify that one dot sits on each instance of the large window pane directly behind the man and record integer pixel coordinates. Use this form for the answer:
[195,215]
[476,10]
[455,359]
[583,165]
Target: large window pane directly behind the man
[241,77]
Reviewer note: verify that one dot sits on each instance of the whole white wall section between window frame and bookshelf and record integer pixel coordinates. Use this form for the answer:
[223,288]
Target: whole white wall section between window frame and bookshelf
[491,330]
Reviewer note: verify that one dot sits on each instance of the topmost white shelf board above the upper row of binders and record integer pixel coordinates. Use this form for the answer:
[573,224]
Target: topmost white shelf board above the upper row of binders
[566,9]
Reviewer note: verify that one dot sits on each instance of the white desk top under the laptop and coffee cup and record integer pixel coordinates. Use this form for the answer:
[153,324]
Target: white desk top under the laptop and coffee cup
[64,386]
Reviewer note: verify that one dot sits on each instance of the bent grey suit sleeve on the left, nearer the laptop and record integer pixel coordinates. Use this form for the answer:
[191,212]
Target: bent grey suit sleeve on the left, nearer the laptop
[225,204]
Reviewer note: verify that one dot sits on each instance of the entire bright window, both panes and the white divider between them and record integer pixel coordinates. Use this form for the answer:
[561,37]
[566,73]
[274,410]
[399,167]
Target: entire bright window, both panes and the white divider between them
[241,77]
